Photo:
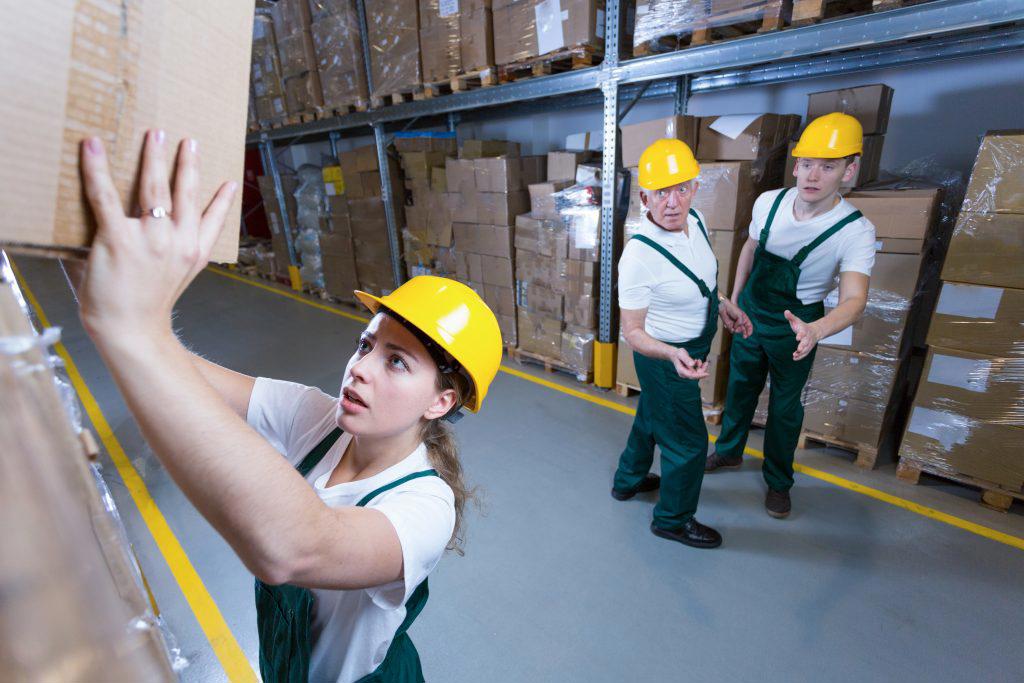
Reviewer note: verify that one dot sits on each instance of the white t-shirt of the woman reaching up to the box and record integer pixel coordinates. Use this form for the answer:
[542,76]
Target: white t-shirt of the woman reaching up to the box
[353,630]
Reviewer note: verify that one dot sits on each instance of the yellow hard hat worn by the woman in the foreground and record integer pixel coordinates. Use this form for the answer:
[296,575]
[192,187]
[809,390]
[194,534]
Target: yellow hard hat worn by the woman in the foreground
[454,318]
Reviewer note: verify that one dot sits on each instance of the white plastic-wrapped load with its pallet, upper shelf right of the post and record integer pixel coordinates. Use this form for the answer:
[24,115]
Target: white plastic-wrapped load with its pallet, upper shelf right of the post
[664,26]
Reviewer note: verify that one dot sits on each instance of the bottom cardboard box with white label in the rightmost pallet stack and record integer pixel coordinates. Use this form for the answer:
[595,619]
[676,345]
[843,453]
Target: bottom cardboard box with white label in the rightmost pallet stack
[960,445]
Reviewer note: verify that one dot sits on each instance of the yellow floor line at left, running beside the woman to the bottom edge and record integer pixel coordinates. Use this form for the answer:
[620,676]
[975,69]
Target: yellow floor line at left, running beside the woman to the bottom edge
[207,614]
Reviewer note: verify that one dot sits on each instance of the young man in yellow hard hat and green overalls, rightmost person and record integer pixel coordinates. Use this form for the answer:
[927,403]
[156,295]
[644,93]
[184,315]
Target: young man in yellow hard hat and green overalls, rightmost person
[799,239]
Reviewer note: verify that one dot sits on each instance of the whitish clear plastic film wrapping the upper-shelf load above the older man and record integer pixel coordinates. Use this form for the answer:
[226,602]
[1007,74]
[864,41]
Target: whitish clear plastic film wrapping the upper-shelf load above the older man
[661,24]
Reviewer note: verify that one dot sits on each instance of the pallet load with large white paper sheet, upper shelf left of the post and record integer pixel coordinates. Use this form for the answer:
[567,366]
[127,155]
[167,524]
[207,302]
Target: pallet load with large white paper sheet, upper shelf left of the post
[540,37]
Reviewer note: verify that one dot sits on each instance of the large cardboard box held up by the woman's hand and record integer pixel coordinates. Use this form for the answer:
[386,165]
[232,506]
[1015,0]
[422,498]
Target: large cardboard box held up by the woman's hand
[76,69]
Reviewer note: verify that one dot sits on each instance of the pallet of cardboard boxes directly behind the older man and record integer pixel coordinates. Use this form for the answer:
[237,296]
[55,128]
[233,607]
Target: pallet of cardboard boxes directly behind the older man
[740,157]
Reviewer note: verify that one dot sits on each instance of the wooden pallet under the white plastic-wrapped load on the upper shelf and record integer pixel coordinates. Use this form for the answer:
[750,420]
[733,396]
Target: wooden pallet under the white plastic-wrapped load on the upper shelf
[720,28]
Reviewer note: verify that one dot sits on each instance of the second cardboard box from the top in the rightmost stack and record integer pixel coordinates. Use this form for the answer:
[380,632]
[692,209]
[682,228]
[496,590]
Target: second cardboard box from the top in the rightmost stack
[988,249]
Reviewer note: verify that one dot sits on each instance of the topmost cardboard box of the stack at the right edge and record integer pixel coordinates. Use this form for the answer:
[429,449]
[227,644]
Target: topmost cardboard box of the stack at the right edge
[997,184]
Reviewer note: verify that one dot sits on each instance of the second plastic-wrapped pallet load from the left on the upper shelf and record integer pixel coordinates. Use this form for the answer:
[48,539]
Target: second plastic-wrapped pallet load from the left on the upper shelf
[292,26]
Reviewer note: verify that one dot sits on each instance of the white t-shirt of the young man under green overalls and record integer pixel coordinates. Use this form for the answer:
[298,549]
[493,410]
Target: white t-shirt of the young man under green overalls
[852,249]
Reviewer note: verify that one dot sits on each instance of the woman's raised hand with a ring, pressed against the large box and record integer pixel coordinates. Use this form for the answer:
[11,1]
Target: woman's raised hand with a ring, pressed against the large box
[139,268]
